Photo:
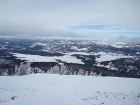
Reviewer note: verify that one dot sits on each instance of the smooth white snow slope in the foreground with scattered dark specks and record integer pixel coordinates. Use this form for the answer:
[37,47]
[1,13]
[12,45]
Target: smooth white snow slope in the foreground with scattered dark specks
[52,89]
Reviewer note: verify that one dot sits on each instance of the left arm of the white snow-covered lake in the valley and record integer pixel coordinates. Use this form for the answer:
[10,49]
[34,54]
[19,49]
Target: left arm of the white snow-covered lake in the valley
[34,58]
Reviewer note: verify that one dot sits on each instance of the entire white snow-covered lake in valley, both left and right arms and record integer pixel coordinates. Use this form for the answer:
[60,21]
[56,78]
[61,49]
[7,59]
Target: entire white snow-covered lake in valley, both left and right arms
[69,58]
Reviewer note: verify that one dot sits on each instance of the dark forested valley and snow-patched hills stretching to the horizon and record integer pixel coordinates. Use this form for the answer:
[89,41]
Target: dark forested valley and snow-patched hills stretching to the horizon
[107,58]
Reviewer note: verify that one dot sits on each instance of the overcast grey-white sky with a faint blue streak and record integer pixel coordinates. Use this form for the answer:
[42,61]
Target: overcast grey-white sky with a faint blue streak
[74,19]
